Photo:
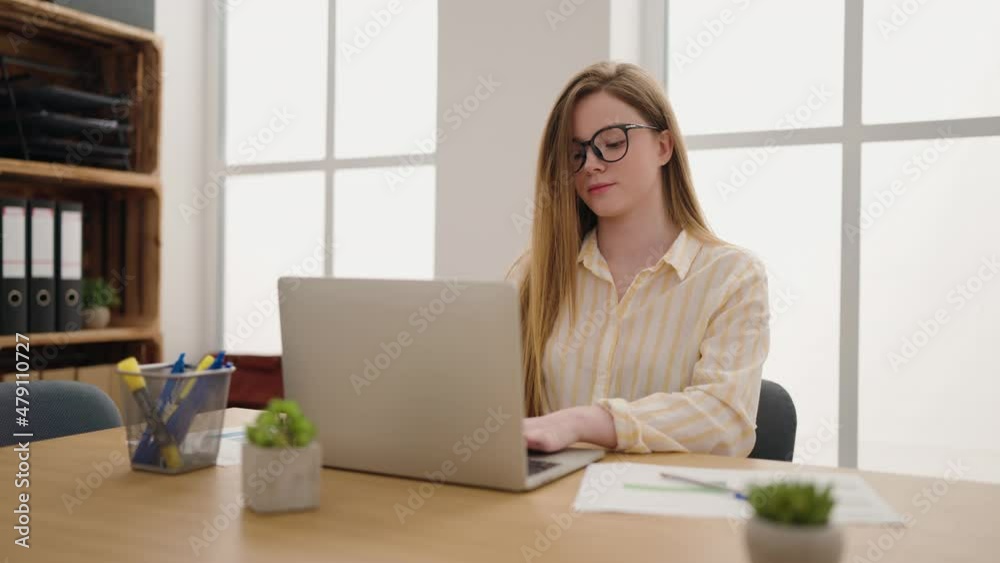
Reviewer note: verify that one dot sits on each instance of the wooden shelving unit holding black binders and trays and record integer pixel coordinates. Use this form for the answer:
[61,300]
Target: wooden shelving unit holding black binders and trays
[121,209]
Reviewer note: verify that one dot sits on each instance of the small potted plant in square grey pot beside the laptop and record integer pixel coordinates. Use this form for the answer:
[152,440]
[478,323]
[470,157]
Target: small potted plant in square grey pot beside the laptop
[281,460]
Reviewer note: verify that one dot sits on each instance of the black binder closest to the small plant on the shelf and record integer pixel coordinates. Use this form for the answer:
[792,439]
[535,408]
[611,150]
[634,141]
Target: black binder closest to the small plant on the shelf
[69,265]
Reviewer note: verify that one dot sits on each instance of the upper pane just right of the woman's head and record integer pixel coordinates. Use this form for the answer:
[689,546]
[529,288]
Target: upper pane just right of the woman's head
[730,66]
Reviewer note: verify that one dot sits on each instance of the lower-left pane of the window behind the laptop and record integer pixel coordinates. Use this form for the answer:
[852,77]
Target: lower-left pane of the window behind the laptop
[273,227]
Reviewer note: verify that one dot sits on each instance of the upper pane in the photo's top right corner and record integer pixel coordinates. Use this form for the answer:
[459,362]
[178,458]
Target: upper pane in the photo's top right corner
[930,60]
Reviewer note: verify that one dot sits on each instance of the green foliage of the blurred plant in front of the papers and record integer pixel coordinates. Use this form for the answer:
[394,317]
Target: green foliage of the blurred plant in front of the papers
[798,504]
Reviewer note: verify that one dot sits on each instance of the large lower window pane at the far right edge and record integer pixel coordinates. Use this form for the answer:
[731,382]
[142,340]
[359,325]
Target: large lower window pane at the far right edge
[930,300]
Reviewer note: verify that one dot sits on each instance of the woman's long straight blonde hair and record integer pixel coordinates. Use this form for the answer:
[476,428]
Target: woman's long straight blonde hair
[561,219]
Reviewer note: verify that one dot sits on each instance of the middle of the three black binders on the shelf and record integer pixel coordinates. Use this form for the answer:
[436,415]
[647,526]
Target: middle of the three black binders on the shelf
[41,266]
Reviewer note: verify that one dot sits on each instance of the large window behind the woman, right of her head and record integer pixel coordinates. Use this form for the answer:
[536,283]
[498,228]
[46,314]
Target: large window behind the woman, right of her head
[850,145]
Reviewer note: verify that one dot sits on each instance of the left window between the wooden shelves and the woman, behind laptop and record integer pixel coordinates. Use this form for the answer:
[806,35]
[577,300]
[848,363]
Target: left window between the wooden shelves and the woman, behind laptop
[328,141]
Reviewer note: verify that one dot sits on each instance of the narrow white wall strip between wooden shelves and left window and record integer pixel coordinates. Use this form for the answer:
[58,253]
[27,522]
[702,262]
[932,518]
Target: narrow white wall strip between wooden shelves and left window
[183,150]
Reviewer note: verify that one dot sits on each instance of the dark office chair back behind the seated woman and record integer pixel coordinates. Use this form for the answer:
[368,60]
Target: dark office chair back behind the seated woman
[776,422]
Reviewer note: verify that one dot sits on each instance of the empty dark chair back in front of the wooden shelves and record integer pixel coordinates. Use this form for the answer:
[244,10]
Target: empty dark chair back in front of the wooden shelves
[55,408]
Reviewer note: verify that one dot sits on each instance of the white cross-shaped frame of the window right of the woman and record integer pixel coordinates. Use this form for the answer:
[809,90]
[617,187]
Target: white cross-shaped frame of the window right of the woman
[851,135]
